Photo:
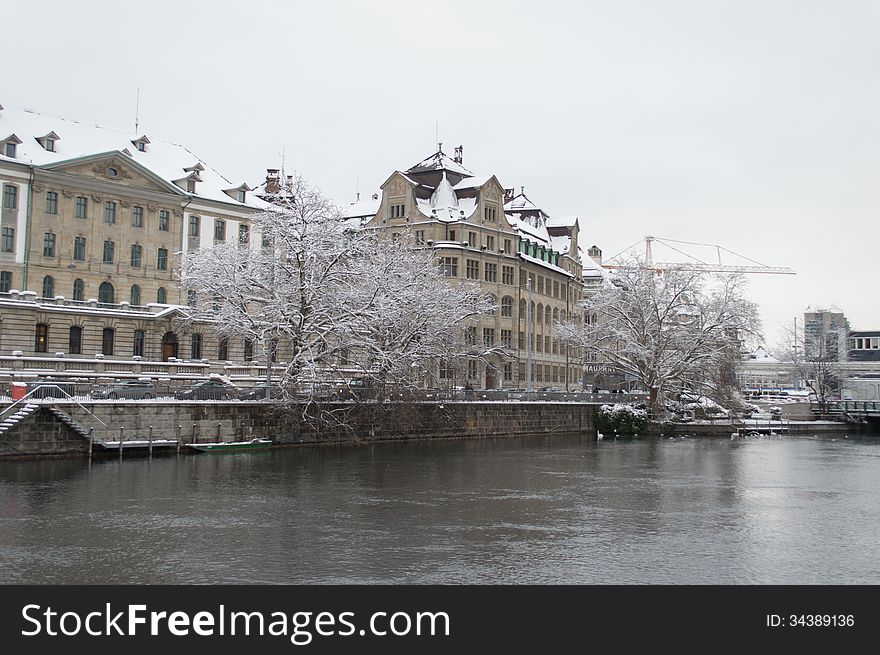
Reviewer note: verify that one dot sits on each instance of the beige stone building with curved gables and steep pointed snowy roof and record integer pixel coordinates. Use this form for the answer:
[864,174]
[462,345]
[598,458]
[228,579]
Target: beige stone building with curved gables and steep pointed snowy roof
[529,263]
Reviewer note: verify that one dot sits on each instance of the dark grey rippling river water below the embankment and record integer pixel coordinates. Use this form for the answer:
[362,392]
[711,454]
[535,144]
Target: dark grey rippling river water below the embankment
[760,510]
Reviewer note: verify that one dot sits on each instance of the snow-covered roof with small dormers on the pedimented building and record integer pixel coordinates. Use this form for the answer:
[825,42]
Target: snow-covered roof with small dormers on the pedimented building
[44,140]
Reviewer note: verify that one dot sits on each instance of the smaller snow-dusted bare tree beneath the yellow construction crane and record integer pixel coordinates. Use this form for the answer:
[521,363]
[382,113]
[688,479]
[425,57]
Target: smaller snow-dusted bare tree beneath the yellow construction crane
[670,330]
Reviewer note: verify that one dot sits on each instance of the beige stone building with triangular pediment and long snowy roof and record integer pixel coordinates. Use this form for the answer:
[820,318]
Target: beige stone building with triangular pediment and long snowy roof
[93,223]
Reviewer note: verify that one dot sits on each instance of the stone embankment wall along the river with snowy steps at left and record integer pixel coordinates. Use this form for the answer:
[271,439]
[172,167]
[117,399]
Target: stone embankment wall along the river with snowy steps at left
[368,422]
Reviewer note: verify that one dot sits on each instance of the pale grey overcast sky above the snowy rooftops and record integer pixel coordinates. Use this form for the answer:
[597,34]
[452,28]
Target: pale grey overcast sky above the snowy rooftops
[748,124]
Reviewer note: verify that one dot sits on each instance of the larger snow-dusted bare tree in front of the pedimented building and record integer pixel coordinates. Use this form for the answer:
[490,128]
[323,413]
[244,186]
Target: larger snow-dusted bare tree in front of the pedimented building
[334,298]
